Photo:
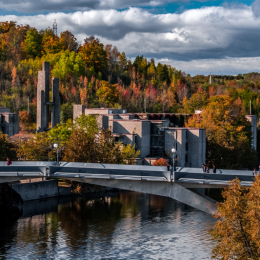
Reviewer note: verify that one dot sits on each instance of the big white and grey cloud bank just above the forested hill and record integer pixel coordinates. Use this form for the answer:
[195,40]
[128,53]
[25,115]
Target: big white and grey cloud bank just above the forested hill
[212,33]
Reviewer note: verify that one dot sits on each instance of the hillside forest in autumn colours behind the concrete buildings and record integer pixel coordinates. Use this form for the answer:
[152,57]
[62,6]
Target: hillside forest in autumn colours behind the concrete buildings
[99,75]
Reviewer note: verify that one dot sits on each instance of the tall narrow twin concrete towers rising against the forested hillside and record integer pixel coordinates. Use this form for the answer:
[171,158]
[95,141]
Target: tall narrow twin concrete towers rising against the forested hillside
[43,100]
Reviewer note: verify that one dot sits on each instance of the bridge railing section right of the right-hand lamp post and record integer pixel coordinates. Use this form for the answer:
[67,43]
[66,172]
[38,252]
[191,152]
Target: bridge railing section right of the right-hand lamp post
[211,176]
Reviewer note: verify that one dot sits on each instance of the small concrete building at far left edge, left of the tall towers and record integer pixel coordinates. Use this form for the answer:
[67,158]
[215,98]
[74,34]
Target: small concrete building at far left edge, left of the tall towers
[9,122]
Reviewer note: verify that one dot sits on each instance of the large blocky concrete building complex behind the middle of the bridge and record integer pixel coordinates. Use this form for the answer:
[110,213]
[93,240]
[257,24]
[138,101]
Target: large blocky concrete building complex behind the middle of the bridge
[153,134]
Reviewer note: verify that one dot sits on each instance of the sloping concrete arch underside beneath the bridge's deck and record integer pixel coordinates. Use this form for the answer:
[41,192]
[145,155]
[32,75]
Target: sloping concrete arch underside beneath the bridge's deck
[166,189]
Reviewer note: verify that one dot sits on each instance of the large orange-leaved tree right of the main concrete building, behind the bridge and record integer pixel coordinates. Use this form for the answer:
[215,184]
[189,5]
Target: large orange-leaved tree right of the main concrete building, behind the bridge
[227,132]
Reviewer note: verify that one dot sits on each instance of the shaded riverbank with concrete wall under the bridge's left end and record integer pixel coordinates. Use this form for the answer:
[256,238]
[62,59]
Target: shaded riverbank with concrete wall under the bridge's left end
[36,191]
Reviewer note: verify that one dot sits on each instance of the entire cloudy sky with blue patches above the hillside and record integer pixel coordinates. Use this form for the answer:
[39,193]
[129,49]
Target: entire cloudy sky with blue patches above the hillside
[194,36]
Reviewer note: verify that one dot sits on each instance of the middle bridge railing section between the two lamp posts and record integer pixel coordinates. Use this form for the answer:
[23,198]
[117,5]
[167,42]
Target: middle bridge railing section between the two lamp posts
[78,172]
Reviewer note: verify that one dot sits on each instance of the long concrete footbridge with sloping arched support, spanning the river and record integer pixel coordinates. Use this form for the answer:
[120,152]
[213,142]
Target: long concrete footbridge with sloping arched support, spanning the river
[184,185]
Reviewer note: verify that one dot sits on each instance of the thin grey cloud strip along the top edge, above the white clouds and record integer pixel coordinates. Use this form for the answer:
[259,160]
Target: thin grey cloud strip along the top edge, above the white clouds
[28,6]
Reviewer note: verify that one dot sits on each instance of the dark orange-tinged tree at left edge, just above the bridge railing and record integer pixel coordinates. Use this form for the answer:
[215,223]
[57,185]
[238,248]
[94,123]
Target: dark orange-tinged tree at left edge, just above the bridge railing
[7,149]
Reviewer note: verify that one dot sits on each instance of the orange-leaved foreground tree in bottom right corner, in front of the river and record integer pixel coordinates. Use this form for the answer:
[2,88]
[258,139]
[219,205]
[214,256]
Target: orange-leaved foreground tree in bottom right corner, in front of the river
[238,228]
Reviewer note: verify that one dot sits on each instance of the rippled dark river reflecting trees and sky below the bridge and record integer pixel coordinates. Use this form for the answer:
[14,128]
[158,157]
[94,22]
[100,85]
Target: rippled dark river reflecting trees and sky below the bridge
[121,226]
